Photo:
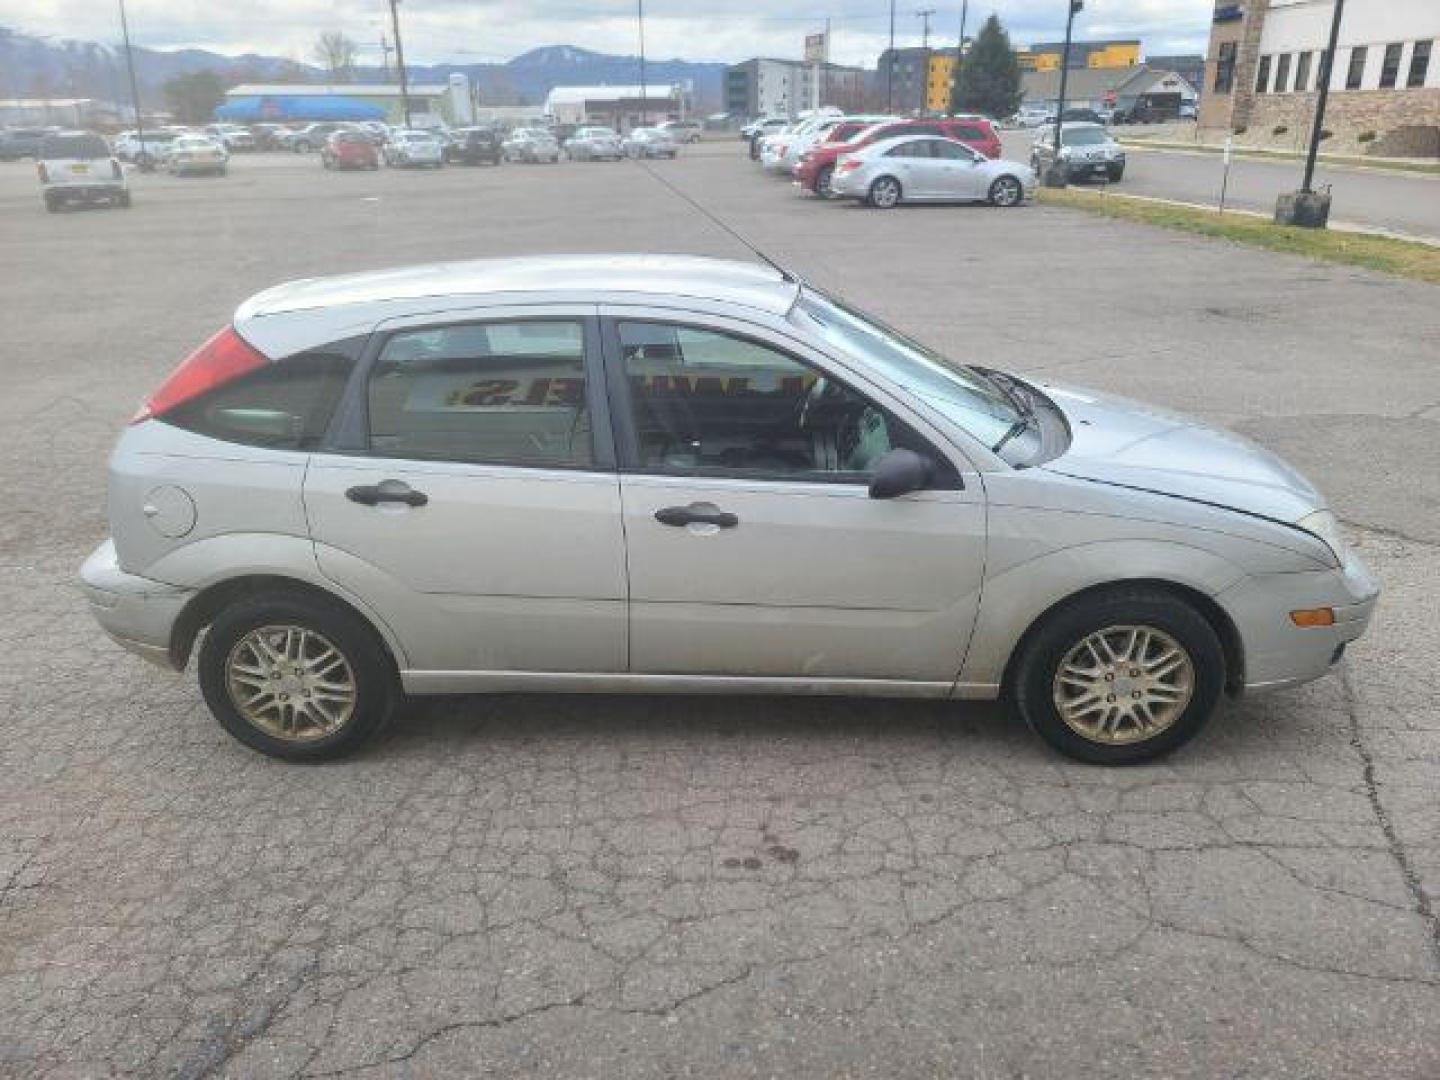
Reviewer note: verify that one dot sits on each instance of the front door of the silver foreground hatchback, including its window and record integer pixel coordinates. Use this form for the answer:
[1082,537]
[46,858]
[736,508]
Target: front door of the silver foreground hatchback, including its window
[754,545]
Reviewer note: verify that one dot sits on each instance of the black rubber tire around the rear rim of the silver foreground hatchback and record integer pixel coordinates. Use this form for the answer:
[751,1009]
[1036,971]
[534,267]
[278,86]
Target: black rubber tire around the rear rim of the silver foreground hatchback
[378,689]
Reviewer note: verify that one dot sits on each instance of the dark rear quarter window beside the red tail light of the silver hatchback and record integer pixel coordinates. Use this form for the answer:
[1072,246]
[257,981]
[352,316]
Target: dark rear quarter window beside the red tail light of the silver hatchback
[284,405]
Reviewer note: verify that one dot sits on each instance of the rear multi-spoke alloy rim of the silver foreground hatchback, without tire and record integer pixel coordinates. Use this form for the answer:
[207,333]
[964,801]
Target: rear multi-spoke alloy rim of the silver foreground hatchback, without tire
[292,683]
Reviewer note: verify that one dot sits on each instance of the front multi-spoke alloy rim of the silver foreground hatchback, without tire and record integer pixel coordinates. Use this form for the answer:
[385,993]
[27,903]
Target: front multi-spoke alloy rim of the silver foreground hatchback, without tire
[1124,685]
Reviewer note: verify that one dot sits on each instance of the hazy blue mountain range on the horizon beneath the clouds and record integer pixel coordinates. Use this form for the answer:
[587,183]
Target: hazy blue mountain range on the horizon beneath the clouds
[34,67]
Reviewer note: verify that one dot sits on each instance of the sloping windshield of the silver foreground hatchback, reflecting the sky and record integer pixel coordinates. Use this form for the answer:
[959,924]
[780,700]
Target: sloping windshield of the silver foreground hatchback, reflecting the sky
[966,397]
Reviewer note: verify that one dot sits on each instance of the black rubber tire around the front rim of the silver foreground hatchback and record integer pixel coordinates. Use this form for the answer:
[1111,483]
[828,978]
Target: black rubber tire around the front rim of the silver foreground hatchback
[1035,676]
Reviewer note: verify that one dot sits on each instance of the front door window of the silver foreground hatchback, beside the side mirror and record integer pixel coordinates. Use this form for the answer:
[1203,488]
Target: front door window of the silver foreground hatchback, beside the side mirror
[712,402]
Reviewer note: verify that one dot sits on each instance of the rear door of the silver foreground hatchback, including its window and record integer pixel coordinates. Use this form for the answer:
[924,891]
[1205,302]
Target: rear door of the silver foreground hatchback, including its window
[472,495]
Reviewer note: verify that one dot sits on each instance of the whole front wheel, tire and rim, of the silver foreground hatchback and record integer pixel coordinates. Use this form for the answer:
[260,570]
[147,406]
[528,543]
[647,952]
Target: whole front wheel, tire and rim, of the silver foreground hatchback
[1121,678]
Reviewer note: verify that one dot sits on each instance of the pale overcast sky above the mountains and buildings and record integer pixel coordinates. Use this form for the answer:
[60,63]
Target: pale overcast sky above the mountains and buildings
[473,31]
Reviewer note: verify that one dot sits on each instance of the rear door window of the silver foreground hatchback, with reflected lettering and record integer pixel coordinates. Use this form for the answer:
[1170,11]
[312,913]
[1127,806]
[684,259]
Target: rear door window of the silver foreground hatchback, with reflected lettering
[506,394]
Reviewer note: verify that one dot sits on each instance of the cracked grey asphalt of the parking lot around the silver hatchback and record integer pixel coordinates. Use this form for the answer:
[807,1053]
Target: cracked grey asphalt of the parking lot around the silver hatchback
[654,888]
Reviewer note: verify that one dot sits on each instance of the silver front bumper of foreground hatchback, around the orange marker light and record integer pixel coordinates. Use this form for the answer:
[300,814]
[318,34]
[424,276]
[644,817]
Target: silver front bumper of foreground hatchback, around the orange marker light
[1277,652]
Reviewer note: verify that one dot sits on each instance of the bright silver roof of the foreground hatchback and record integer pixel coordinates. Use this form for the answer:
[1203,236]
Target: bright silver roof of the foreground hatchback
[728,282]
